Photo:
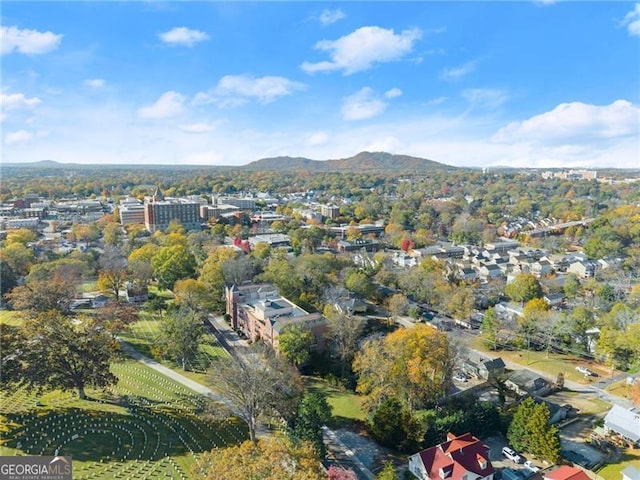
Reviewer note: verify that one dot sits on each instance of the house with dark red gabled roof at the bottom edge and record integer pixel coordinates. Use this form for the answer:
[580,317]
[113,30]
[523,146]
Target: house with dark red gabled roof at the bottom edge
[459,458]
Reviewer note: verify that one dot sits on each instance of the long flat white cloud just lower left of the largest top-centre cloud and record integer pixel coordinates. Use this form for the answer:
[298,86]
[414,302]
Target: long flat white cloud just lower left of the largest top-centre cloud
[233,90]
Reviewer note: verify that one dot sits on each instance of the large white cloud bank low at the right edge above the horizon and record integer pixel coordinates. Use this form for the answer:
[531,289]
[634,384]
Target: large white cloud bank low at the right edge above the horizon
[575,123]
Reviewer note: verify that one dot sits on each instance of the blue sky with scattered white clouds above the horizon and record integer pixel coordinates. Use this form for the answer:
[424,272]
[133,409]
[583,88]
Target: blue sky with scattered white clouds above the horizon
[522,83]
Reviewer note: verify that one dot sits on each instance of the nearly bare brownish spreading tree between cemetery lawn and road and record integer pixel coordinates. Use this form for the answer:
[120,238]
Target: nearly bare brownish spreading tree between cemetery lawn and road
[266,386]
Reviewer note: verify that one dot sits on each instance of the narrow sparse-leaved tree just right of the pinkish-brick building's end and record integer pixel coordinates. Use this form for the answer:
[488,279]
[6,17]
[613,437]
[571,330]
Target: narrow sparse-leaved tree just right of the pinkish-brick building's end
[344,332]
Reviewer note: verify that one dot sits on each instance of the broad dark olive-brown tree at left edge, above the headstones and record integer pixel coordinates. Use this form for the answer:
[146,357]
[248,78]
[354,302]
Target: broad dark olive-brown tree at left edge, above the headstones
[55,352]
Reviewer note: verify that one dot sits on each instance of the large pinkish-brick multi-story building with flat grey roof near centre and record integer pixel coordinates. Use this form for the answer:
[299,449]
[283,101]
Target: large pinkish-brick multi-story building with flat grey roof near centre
[261,313]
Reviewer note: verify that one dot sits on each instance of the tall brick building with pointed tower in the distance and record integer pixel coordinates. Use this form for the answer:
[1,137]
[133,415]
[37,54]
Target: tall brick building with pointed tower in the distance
[160,211]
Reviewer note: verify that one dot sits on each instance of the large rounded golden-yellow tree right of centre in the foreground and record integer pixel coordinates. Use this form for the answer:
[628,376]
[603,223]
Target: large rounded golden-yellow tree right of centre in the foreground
[413,365]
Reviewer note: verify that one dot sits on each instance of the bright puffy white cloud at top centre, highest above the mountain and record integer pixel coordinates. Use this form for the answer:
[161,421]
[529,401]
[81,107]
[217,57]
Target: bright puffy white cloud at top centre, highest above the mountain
[363,48]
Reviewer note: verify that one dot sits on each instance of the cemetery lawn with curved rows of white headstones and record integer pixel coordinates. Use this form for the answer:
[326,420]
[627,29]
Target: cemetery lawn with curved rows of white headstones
[146,427]
